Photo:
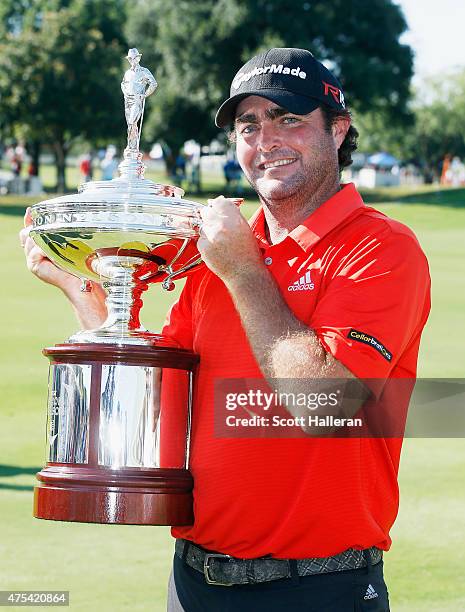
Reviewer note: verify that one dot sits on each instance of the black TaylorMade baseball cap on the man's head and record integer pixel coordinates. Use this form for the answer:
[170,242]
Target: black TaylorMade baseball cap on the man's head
[292,78]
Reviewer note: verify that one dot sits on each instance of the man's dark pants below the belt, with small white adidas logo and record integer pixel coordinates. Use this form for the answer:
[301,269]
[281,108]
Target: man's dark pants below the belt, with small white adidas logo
[360,590]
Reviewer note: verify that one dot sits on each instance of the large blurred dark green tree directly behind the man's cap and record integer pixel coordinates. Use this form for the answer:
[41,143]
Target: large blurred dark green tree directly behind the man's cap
[194,49]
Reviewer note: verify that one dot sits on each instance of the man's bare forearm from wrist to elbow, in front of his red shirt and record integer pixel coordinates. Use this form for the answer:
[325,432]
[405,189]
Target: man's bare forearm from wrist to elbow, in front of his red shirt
[287,350]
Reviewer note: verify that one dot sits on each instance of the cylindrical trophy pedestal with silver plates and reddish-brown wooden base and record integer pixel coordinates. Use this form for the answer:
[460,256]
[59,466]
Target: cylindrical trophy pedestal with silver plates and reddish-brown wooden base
[118,435]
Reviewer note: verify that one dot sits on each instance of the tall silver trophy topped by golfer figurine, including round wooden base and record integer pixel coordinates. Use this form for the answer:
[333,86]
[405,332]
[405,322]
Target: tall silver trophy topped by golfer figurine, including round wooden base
[120,396]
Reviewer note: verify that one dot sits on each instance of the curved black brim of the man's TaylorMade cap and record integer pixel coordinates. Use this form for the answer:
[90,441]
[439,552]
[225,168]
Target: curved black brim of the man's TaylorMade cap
[294,103]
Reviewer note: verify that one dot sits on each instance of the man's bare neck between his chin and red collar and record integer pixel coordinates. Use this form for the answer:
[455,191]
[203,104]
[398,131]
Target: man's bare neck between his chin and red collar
[282,216]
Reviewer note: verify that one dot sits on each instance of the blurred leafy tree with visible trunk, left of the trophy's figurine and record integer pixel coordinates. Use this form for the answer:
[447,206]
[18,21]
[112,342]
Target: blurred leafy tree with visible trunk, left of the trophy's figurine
[60,71]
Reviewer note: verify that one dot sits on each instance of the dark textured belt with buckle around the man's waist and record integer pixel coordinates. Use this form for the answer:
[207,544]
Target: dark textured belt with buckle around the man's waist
[225,570]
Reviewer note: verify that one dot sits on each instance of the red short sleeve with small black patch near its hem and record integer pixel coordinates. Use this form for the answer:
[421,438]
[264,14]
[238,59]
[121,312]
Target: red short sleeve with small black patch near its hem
[374,304]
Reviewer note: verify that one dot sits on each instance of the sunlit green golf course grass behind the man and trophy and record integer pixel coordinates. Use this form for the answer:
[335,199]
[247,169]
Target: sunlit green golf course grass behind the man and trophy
[120,568]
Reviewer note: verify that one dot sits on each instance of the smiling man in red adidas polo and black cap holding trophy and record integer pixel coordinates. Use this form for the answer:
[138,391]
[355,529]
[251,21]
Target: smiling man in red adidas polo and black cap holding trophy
[317,287]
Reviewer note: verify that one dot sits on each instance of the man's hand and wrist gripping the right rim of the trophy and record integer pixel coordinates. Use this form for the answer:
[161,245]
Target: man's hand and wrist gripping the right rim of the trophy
[227,244]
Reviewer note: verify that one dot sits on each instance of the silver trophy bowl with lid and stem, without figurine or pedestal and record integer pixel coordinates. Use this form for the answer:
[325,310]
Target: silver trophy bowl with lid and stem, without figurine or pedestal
[124,234]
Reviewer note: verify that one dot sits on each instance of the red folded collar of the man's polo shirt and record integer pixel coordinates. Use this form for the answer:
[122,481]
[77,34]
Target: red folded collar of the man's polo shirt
[329,215]
